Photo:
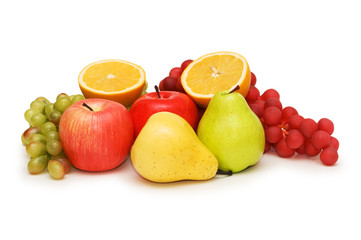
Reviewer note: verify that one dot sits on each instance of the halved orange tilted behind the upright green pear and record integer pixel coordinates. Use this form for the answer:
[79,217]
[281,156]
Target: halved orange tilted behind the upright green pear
[215,72]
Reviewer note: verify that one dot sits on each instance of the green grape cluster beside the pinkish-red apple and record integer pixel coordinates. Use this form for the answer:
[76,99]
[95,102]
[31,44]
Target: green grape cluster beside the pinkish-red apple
[42,137]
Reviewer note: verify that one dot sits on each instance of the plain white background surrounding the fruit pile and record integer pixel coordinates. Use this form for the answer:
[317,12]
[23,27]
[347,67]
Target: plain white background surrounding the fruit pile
[309,51]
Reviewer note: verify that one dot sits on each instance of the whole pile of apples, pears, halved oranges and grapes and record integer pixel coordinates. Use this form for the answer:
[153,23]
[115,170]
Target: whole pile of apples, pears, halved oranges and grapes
[208,118]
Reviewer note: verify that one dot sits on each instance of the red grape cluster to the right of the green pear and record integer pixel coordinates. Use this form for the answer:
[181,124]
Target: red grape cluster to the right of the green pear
[287,131]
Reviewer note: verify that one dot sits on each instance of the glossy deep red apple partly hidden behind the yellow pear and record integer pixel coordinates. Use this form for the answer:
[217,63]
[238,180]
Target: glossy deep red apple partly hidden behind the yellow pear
[174,102]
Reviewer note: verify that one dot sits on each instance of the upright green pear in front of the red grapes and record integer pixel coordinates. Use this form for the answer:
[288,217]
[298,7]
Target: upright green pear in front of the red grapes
[231,130]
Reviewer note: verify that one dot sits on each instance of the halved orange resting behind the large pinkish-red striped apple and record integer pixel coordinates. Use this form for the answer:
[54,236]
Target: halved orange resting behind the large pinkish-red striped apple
[112,79]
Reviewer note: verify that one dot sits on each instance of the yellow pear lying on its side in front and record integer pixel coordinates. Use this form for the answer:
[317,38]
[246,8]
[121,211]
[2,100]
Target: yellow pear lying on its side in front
[167,150]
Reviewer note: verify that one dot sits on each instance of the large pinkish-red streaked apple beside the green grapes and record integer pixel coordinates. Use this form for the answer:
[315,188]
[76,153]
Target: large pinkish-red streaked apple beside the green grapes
[97,140]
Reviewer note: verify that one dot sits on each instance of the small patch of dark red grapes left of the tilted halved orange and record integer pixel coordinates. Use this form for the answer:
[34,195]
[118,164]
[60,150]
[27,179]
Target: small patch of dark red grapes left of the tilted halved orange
[173,81]
